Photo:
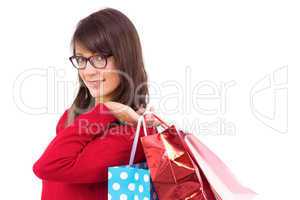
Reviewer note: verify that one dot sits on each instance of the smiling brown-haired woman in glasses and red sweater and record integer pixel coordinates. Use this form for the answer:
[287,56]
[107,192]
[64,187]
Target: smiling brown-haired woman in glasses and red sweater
[97,131]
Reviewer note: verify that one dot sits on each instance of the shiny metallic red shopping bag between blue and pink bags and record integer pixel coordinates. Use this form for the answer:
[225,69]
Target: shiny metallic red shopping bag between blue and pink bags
[173,172]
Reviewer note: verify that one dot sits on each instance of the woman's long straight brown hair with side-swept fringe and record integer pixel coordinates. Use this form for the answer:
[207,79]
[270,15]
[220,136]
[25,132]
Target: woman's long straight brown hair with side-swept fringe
[108,31]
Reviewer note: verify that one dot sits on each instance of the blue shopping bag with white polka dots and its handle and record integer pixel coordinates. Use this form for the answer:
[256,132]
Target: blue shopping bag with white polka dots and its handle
[133,181]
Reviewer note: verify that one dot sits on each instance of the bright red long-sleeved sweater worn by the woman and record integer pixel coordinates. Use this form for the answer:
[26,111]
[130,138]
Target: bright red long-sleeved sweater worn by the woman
[74,165]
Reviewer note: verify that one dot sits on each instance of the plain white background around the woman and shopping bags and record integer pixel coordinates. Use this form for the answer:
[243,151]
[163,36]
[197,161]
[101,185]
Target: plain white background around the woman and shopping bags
[253,45]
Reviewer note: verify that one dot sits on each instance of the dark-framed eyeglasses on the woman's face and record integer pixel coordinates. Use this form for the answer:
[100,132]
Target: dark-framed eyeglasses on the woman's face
[97,61]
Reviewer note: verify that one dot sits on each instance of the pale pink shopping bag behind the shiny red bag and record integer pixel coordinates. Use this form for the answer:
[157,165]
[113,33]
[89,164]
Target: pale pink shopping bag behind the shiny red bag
[217,173]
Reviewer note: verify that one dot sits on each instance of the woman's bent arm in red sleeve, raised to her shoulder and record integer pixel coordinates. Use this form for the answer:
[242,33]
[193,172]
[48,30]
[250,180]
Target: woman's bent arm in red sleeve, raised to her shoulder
[82,152]
